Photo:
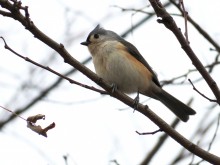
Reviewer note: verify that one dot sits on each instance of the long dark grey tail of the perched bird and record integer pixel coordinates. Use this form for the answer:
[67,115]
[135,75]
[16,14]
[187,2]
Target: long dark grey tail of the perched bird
[181,110]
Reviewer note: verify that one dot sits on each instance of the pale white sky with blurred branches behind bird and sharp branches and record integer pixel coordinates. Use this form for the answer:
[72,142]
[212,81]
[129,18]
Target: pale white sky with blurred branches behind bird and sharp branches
[95,129]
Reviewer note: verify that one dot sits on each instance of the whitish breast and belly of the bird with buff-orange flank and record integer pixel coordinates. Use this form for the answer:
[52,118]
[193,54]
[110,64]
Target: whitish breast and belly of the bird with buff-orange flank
[114,64]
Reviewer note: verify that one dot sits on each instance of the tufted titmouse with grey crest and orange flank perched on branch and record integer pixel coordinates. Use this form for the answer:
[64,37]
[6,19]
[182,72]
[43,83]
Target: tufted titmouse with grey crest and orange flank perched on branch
[120,63]
